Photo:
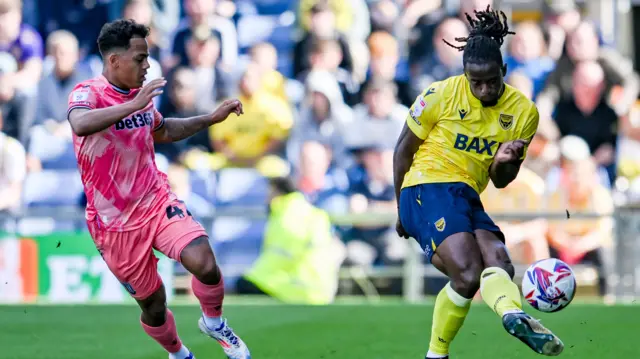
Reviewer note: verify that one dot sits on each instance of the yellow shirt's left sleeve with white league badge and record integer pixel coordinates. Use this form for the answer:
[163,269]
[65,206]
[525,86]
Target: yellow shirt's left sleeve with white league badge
[424,113]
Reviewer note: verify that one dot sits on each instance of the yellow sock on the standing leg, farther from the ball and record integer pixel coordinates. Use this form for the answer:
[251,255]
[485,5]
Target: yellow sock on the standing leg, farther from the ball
[450,310]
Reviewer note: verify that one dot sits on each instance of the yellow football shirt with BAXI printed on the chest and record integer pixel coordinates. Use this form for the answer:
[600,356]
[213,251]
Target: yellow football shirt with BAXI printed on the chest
[461,136]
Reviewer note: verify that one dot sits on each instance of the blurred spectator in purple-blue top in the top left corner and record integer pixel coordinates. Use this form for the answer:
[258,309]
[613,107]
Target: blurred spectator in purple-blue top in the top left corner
[24,43]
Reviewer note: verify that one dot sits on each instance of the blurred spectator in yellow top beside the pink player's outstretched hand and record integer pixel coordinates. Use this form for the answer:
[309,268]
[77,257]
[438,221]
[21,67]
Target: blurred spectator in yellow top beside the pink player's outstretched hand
[255,139]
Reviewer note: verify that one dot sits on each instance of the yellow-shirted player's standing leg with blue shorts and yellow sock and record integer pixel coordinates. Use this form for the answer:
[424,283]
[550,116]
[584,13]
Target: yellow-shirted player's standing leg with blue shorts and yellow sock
[437,219]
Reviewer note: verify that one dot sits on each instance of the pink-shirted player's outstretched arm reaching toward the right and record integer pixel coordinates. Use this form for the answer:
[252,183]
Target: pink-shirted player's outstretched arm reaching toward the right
[176,129]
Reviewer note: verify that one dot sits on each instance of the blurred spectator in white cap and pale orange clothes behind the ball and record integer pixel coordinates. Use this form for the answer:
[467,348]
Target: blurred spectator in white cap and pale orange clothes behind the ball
[585,241]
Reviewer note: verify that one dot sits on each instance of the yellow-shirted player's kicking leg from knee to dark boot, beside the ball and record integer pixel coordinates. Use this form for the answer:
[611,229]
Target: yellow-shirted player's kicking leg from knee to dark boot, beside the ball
[502,295]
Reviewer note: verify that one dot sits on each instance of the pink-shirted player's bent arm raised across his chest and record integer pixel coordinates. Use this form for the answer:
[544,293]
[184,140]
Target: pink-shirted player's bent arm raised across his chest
[85,122]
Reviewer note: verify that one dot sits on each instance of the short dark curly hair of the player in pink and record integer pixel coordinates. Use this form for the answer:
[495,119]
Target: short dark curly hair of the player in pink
[117,35]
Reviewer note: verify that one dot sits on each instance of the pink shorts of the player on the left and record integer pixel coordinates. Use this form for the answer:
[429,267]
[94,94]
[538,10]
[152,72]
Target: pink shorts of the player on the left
[129,255]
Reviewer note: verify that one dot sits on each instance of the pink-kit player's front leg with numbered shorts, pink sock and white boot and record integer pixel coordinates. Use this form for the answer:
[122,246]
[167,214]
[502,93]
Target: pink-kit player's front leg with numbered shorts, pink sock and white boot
[185,240]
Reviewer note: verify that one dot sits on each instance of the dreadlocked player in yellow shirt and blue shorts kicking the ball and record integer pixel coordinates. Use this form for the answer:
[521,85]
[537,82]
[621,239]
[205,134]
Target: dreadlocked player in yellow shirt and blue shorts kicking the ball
[461,133]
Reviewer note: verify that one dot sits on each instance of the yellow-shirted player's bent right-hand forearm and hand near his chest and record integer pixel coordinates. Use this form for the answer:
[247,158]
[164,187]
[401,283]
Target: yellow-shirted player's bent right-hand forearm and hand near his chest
[506,163]
